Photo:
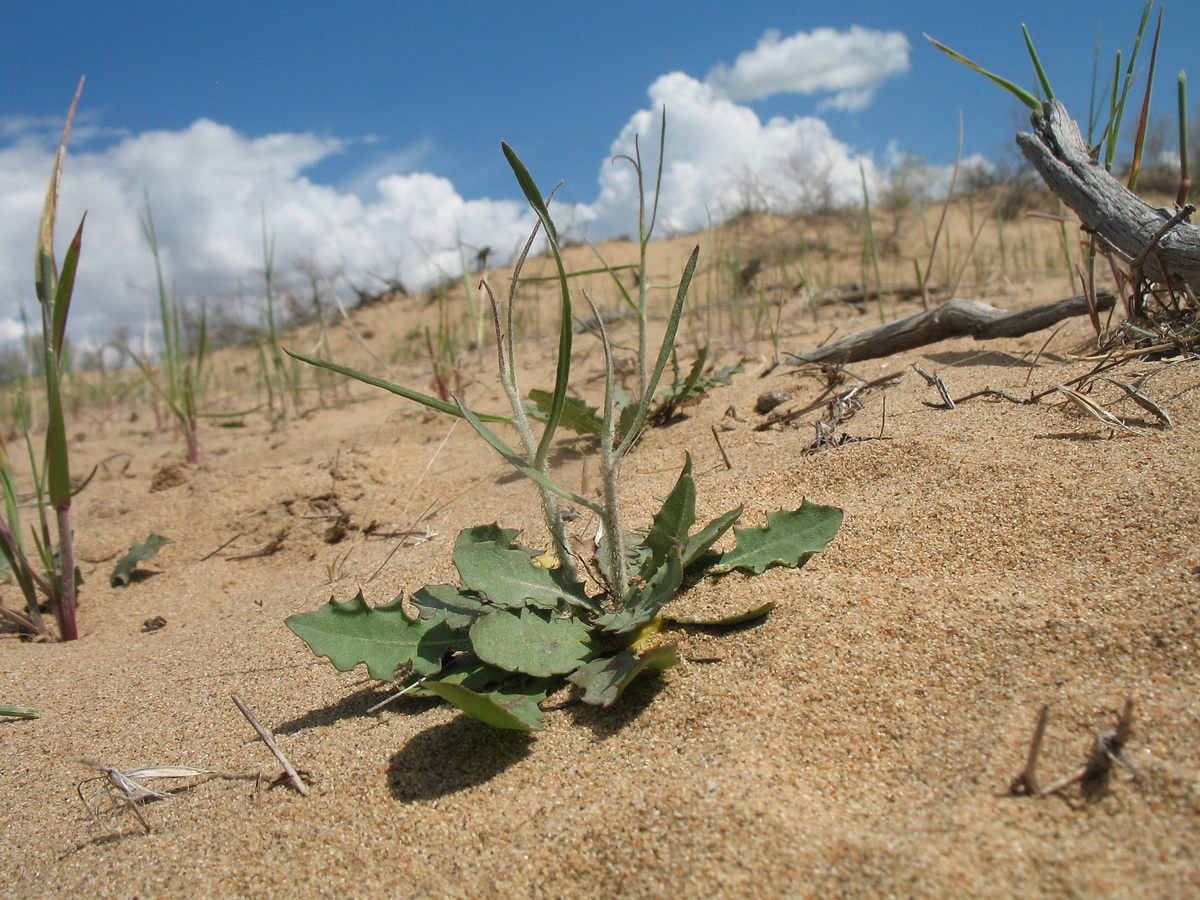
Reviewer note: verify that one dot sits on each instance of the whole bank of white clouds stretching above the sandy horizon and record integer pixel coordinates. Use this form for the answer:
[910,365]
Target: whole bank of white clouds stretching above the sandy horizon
[212,189]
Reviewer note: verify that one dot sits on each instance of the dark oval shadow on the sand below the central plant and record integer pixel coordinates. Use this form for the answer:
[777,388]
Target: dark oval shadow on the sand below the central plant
[452,758]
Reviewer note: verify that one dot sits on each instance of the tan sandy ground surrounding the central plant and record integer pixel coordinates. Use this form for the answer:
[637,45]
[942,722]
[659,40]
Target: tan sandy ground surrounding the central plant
[860,742]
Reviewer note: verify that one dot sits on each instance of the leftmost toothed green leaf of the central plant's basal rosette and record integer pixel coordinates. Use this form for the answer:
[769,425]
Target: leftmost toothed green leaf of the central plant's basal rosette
[383,639]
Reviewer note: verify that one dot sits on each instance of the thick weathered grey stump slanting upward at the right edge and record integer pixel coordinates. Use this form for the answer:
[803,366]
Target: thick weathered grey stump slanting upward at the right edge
[1105,206]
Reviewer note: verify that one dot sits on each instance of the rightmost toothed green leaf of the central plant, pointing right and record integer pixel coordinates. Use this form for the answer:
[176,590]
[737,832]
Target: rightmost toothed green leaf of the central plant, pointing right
[789,539]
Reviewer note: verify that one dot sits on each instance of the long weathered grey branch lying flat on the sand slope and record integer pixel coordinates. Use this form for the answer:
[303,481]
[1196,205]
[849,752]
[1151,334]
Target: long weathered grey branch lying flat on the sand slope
[955,319]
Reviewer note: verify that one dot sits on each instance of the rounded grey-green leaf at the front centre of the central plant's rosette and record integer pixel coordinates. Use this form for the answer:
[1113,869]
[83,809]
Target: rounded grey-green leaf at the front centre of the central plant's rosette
[533,643]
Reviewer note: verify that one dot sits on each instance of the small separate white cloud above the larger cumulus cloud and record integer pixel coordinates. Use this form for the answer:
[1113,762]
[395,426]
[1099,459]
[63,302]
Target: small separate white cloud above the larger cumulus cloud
[851,65]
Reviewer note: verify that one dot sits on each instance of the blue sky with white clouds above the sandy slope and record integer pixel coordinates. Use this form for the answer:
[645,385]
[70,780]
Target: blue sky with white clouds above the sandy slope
[369,133]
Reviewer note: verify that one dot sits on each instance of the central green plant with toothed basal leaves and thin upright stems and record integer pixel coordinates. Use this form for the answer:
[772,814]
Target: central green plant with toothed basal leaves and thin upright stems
[497,644]
